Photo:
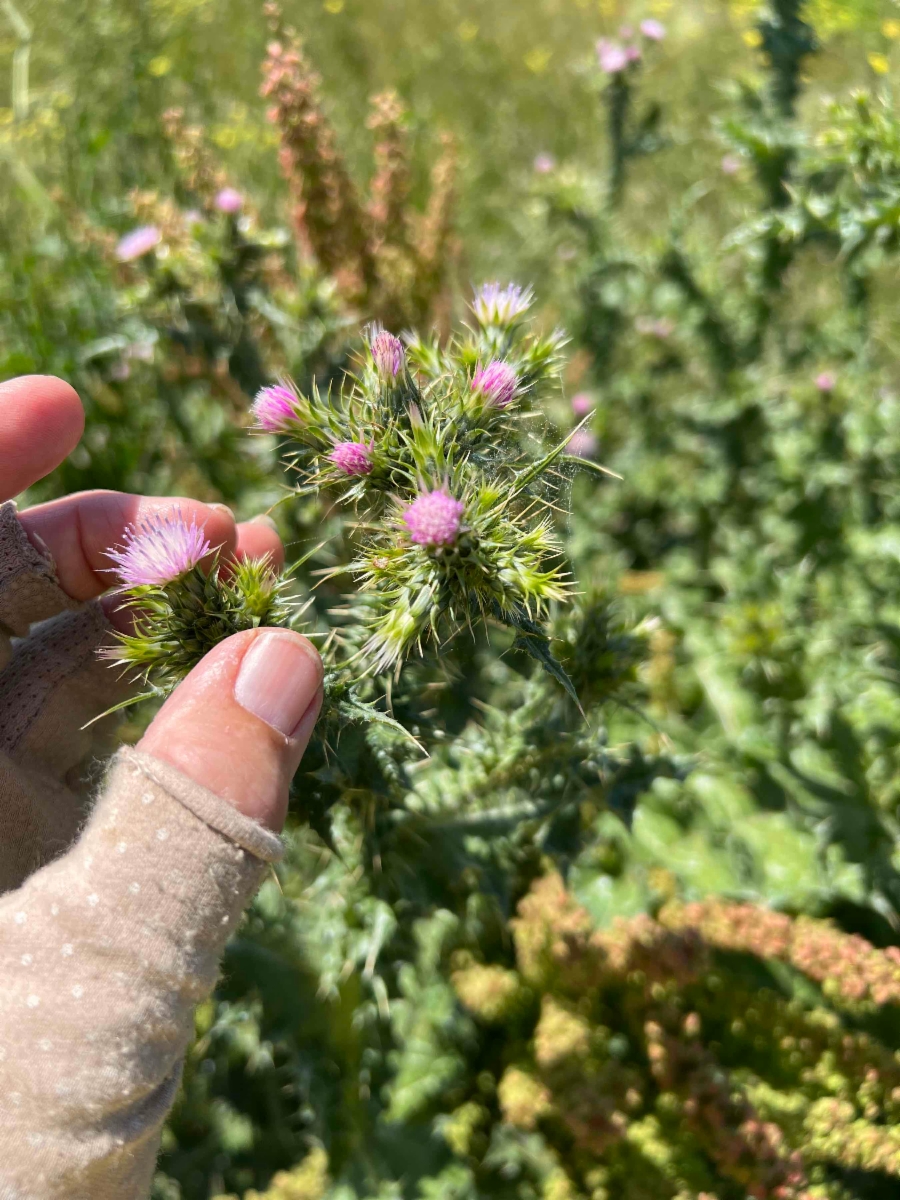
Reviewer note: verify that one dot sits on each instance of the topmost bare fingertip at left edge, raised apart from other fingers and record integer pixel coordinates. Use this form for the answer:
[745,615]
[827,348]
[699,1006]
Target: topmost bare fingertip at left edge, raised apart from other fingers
[41,421]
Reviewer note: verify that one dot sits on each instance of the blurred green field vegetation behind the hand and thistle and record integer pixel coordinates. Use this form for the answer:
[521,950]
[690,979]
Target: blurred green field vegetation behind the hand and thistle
[718,231]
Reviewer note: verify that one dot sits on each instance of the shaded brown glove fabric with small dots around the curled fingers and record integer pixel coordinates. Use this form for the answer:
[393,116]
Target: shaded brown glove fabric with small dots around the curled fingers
[51,685]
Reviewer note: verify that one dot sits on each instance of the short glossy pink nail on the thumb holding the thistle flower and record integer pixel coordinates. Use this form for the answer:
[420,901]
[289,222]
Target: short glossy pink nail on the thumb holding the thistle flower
[279,680]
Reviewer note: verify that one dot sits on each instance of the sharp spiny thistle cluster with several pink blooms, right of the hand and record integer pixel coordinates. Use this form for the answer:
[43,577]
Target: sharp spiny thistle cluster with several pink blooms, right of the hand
[441,452]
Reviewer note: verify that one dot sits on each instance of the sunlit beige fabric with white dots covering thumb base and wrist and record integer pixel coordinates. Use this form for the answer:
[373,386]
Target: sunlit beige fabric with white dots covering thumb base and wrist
[104,955]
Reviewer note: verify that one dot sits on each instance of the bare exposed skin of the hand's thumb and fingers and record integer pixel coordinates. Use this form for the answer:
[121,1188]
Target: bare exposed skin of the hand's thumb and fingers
[235,748]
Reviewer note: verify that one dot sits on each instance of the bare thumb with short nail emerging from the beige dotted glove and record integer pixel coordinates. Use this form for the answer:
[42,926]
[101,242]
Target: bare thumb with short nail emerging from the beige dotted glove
[239,724]
